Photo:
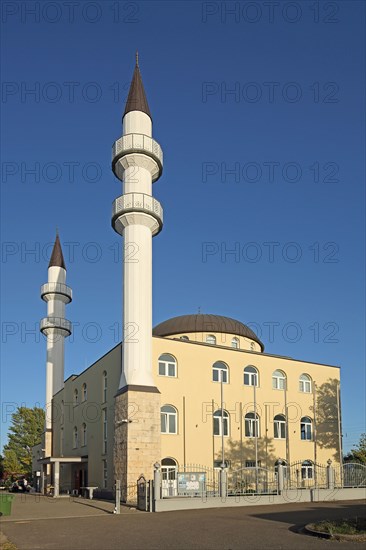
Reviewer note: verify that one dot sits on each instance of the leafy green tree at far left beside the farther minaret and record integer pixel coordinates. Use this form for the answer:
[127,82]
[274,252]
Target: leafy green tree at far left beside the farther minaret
[25,431]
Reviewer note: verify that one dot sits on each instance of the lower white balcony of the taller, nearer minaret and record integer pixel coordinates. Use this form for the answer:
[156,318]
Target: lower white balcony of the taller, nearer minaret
[137,203]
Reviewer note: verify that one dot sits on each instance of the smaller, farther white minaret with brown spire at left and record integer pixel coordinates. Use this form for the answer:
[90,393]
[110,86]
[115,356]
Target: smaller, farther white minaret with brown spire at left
[56,328]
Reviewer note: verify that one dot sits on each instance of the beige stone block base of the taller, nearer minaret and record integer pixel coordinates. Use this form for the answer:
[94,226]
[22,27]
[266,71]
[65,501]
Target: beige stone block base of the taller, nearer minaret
[136,438]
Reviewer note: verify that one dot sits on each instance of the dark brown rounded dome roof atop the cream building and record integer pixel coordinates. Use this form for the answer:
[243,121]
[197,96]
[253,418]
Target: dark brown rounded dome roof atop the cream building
[203,322]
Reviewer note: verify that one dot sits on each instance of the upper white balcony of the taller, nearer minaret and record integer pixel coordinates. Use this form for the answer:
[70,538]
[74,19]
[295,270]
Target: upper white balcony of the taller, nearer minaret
[130,144]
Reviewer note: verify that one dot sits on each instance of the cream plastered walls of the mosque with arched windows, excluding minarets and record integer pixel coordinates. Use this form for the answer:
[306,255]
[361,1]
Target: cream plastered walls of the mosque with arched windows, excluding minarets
[84,410]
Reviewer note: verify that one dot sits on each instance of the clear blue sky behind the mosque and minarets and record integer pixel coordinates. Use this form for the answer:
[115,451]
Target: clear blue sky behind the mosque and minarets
[275,94]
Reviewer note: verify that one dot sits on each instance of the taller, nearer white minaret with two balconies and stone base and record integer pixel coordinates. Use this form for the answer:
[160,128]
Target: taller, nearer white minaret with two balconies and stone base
[137,160]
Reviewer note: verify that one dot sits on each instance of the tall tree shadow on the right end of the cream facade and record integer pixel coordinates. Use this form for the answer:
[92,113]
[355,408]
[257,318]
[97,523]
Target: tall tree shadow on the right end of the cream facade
[326,416]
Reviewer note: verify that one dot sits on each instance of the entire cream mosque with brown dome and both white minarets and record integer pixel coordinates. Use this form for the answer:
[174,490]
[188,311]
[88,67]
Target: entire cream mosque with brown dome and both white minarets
[194,390]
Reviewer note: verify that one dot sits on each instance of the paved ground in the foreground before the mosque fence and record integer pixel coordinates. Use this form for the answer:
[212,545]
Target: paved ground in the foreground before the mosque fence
[45,525]
